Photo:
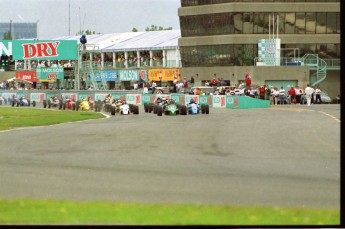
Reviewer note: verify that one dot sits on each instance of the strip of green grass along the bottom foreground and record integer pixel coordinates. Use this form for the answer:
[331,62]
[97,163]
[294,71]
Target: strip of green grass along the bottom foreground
[25,211]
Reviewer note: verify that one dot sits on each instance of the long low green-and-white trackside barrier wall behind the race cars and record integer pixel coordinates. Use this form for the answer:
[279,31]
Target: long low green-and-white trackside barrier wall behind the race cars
[214,101]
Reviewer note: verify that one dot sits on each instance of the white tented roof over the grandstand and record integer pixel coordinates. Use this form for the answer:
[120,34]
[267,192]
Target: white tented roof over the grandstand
[130,41]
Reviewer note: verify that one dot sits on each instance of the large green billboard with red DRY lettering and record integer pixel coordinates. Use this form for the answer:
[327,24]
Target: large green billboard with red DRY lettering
[43,49]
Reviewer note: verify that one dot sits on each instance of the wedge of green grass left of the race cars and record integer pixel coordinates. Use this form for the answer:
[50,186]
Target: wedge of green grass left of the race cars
[13,117]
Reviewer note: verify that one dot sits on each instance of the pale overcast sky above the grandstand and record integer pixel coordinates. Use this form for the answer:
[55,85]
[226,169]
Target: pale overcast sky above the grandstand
[101,16]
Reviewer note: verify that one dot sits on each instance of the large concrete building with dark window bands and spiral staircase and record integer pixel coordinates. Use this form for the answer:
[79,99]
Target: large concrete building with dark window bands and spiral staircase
[223,37]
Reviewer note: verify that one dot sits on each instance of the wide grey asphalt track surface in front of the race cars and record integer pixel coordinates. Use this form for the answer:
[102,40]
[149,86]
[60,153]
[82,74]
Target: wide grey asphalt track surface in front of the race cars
[283,156]
